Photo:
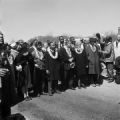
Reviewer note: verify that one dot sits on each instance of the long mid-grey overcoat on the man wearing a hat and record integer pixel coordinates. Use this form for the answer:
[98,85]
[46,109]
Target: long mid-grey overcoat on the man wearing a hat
[94,62]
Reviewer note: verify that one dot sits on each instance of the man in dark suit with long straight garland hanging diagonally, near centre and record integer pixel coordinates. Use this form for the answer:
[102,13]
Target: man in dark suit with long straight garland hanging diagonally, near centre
[66,57]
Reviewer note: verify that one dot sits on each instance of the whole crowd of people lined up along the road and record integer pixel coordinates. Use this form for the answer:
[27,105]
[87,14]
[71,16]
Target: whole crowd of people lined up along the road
[32,70]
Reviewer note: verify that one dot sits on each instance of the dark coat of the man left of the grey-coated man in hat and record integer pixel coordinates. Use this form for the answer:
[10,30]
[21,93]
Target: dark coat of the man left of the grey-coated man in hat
[81,62]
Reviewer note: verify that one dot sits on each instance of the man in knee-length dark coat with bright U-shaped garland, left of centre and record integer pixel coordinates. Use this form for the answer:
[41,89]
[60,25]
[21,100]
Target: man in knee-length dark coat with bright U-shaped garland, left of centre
[52,68]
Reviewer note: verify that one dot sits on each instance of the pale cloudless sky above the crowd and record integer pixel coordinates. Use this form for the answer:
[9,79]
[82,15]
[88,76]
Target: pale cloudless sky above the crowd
[23,19]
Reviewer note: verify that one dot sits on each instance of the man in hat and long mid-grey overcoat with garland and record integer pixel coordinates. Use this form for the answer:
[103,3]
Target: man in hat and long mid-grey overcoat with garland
[93,61]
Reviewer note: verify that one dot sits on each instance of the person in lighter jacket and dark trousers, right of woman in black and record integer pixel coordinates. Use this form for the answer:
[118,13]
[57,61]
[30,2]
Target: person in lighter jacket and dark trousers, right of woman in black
[39,69]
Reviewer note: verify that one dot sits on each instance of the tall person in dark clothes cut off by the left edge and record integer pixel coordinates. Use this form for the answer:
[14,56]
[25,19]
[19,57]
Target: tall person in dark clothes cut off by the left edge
[6,83]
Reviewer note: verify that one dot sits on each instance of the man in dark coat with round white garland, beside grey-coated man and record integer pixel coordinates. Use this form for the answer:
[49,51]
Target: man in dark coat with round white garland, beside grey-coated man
[81,63]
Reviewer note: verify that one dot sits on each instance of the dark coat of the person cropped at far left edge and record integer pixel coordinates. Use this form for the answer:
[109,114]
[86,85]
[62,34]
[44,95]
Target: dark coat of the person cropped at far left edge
[9,96]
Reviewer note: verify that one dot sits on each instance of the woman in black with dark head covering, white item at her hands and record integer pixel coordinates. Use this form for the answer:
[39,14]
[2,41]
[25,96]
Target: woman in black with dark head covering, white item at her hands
[23,71]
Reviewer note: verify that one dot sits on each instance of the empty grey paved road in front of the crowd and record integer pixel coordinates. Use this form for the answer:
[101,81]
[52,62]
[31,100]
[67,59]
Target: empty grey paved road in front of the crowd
[93,103]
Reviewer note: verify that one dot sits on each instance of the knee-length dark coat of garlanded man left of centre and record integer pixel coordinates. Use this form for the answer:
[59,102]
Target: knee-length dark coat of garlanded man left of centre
[53,65]
